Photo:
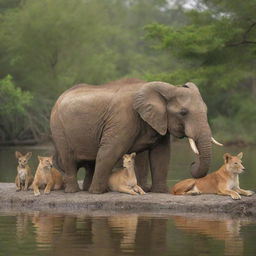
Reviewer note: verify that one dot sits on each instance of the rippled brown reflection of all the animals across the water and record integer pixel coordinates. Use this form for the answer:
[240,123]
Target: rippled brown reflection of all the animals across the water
[130,234]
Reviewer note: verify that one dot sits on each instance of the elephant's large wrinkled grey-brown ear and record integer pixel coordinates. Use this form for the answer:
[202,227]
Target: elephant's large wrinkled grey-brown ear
[150,103]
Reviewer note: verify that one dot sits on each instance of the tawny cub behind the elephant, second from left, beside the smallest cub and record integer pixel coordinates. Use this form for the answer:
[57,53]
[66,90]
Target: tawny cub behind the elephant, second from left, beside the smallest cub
[46,176]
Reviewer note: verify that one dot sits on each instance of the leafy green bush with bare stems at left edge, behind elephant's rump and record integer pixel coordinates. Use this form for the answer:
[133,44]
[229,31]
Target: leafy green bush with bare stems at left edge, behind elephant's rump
[23,119]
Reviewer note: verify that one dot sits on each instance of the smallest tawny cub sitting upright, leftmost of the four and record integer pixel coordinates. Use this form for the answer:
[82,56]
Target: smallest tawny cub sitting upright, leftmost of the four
[24,177]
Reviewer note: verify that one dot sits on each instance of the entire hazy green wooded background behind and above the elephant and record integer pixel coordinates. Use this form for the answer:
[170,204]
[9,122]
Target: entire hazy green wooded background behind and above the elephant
[46,46]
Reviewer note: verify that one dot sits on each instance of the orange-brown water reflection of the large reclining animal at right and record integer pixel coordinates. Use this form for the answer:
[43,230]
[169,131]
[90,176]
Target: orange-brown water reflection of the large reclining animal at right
[227,230]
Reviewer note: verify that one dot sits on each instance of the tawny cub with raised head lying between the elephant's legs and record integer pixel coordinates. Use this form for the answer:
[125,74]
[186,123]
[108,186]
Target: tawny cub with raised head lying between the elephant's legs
[125,180]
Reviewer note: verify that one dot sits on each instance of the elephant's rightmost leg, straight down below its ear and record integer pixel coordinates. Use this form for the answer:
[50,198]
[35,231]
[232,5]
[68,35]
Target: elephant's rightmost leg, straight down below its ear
[159,158]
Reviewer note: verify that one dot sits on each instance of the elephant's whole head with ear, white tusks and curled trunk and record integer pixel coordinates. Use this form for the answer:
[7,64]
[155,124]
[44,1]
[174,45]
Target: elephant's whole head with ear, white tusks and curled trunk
[181,111]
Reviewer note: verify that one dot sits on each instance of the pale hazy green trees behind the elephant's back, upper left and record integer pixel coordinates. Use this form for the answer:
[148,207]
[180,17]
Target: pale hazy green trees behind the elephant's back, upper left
[48,46]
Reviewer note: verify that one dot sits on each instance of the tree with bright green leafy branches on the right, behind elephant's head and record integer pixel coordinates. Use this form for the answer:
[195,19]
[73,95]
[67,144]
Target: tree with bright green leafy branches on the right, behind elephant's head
[216,49]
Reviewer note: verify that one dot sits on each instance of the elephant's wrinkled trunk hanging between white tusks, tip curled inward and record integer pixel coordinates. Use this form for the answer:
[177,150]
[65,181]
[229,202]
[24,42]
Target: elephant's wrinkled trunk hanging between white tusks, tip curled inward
[200,167]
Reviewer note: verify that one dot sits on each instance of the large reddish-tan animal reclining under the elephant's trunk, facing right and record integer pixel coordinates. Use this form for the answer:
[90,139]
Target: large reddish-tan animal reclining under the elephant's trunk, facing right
[223,181]
